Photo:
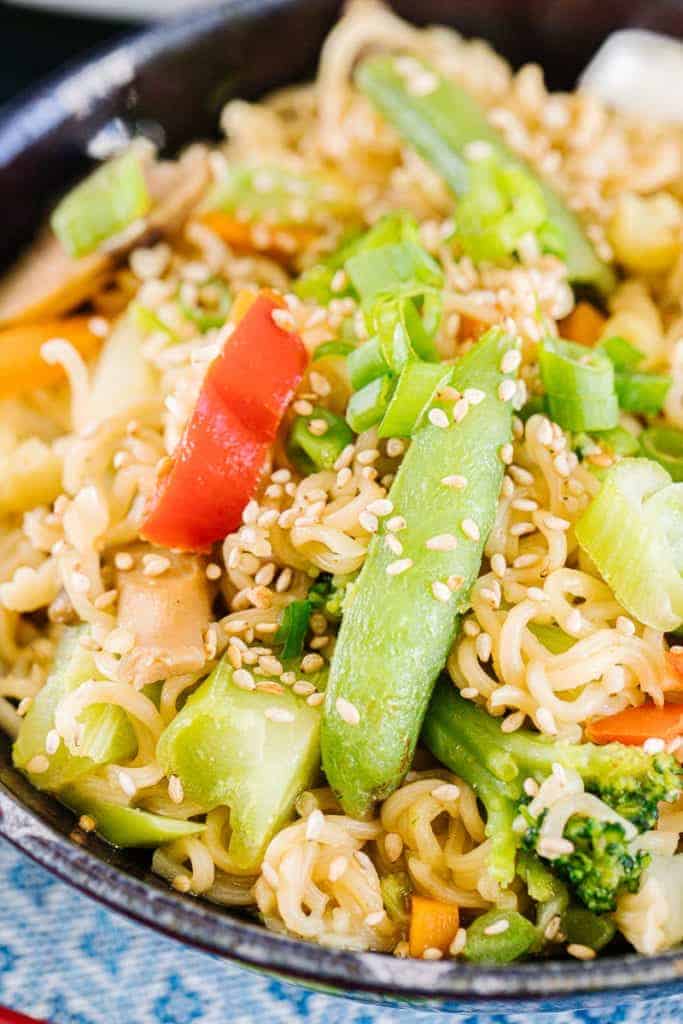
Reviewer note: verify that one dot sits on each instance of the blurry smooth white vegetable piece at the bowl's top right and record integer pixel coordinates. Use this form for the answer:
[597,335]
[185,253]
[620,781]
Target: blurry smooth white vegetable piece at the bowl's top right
[638,72]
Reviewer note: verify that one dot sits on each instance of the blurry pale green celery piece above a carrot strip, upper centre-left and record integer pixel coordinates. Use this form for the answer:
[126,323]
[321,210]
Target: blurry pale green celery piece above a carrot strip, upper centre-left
[280,197]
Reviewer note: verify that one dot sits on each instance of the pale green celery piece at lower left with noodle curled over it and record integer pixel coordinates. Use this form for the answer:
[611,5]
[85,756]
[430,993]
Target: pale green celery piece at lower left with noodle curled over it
[108,735]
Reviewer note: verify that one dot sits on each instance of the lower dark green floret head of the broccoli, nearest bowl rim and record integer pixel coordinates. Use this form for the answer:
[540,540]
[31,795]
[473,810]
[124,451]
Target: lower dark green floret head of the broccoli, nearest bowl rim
[602,866]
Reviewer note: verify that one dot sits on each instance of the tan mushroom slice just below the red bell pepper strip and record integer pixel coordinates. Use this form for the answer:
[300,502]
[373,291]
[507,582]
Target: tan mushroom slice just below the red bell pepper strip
[167,614]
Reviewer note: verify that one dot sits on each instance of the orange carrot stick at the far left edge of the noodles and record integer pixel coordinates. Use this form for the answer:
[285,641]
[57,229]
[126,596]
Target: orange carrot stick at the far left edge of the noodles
[22,367]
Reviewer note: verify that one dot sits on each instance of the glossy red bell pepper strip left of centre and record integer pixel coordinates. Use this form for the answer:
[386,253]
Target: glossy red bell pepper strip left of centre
[220,461]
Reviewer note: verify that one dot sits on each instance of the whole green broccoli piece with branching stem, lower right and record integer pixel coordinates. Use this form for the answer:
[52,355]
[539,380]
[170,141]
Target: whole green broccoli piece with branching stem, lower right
[472,744]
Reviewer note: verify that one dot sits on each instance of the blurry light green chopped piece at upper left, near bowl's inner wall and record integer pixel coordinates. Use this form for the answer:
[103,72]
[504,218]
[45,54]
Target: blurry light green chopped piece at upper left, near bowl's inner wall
[110,200]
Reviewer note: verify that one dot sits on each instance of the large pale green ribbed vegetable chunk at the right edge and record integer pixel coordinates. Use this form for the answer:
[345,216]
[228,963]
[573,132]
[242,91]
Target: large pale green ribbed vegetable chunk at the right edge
[621,535]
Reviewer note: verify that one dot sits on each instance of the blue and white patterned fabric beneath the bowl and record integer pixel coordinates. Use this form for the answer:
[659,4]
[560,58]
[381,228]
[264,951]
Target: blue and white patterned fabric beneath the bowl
[65,960]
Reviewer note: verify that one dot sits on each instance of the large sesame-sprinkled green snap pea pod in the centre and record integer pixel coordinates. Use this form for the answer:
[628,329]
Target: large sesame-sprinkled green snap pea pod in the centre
[401,616]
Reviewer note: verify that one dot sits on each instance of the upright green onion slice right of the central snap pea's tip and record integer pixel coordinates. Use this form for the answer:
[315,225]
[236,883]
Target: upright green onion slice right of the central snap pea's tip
[580,387]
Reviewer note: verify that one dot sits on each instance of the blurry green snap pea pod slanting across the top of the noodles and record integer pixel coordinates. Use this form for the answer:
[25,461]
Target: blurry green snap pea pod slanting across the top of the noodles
[442,122]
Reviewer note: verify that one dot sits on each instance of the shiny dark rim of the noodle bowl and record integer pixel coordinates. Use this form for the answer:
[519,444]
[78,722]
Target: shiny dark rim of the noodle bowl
[197,923]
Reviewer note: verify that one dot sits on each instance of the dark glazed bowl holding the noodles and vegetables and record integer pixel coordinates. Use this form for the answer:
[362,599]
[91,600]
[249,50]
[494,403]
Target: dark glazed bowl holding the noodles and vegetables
[176,78]
